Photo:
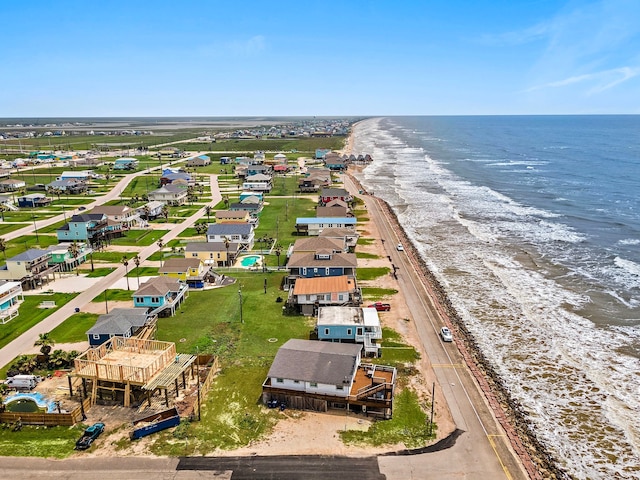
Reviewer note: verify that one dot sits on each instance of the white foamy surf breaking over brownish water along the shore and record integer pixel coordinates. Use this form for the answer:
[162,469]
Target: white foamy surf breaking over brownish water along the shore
[567,372]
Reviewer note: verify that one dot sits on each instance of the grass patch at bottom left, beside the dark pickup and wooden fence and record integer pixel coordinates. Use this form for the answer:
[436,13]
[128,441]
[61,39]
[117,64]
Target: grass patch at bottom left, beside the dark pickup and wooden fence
[35,441]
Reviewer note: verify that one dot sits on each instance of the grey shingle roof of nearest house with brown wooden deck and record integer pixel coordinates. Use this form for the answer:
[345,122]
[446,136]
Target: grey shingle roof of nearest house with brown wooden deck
[312,361]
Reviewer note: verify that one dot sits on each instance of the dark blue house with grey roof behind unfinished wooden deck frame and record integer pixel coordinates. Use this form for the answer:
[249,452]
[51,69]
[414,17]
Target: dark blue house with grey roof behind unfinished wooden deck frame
[121,322]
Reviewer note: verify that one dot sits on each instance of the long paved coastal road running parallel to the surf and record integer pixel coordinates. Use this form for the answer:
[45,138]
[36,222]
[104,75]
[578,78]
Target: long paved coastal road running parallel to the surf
[482,451]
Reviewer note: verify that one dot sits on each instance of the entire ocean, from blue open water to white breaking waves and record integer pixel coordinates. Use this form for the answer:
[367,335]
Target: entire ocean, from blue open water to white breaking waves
[532,225]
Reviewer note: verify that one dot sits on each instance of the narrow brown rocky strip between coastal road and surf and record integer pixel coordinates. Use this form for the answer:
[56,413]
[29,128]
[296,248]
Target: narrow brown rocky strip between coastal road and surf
[508,413]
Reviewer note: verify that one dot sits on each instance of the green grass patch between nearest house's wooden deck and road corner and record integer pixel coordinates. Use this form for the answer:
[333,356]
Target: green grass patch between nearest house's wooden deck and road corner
[409,425]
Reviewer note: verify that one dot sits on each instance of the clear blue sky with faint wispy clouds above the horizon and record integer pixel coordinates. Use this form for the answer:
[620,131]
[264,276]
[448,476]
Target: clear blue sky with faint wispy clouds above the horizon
[215,58]
